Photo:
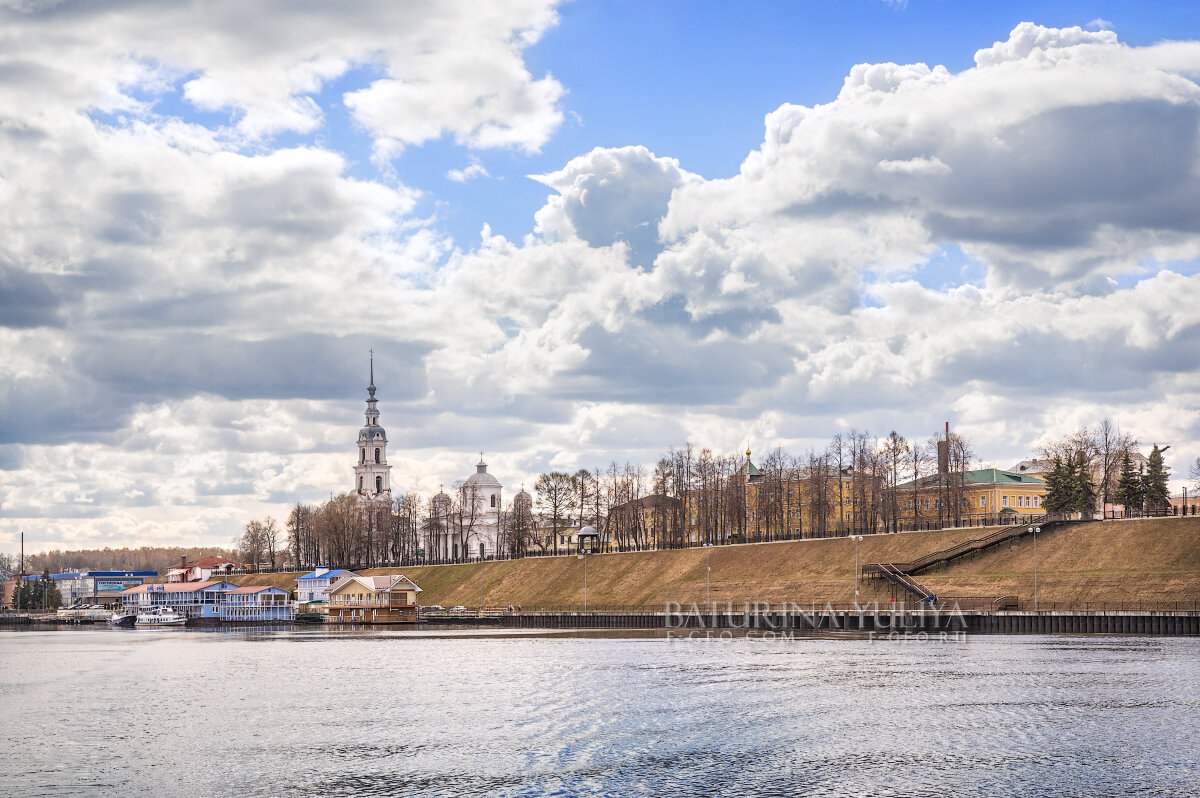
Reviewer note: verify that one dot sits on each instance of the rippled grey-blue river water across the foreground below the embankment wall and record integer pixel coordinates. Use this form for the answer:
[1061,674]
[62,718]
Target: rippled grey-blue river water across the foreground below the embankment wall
[321,712]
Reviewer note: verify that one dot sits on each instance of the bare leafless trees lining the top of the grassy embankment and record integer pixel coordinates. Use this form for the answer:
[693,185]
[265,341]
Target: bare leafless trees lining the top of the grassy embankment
[859,483]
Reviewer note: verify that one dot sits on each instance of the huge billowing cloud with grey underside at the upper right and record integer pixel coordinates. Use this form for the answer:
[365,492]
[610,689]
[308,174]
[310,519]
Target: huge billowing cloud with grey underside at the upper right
[1061,157]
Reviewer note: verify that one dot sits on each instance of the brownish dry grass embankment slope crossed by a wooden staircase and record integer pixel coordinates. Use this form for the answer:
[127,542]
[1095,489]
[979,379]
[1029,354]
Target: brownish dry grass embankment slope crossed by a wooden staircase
[1119,561]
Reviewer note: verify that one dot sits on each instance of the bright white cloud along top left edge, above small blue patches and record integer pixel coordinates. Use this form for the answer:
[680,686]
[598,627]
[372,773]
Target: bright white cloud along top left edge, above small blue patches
[448,68]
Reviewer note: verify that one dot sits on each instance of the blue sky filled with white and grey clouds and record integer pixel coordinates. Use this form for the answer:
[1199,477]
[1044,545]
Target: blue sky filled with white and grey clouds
[573,235]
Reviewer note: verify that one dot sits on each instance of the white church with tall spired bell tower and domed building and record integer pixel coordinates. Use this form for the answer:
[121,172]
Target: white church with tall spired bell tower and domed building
[453,533]
